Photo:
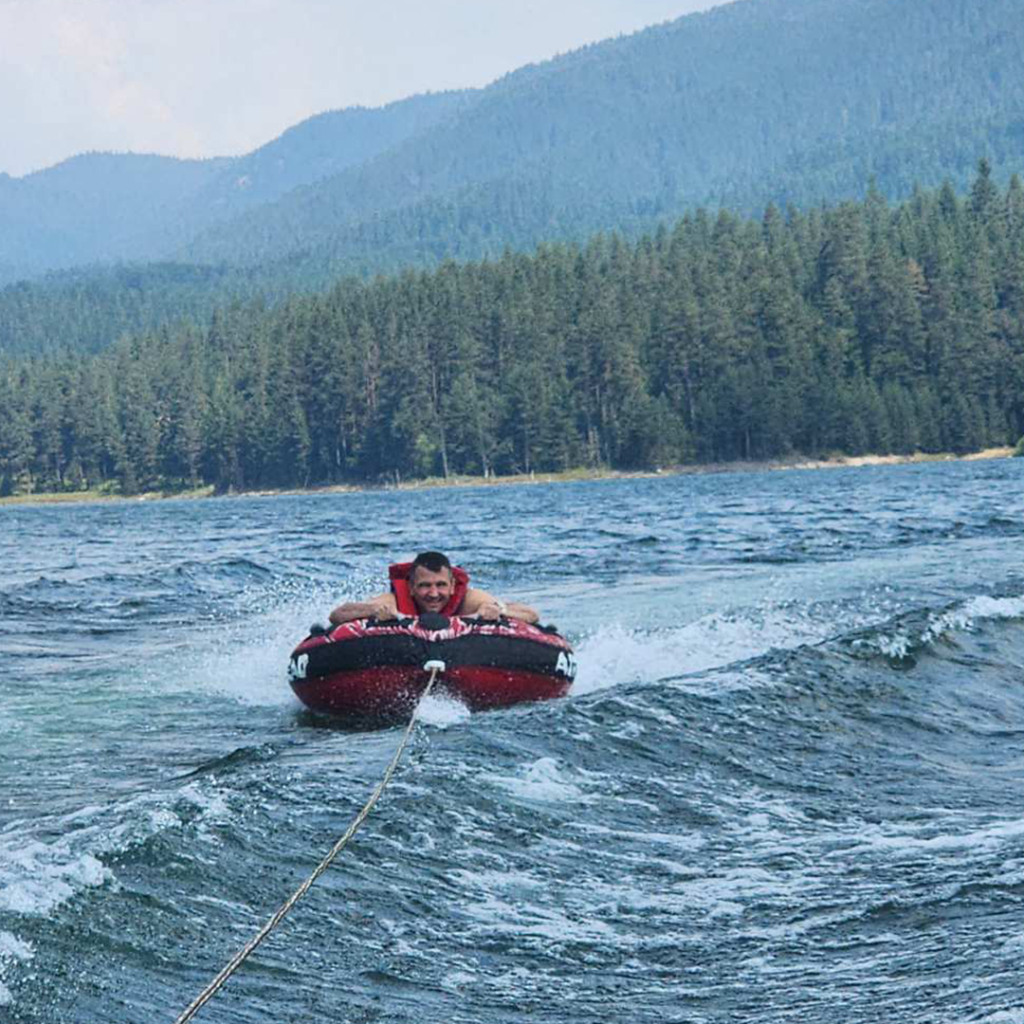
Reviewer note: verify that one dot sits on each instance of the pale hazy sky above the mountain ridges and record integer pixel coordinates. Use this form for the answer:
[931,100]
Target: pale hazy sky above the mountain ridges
[197,78]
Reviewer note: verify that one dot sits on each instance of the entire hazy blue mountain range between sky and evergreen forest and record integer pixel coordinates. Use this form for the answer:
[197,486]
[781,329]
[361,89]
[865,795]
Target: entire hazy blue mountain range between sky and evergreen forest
[754,103]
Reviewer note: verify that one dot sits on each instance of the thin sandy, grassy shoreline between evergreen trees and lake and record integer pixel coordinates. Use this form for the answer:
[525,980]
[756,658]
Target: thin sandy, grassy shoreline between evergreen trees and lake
[569,477]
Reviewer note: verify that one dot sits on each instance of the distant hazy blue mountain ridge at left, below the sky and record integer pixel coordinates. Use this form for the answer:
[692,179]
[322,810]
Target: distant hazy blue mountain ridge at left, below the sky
[115,207]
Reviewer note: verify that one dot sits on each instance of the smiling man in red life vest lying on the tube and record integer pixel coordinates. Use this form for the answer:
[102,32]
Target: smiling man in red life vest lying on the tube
[432,584]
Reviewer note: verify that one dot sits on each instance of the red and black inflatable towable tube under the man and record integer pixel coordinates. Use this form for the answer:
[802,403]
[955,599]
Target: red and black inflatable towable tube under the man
[374,670]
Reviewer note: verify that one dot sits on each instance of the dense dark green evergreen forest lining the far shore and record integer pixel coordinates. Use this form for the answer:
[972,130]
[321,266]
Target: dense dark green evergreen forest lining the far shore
[863,328]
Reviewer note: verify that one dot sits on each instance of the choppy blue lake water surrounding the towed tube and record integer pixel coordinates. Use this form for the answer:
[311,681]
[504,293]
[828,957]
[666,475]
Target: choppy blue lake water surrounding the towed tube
[789,784]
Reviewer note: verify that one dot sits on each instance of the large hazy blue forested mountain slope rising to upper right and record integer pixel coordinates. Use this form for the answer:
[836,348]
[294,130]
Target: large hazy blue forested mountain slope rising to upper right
[756,102]
